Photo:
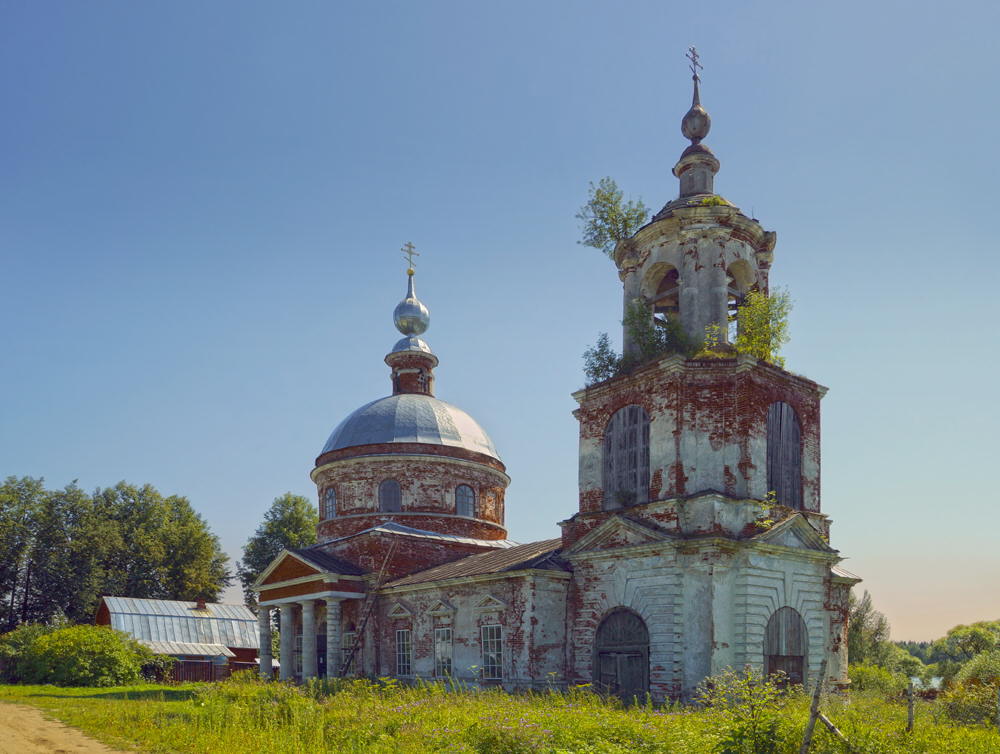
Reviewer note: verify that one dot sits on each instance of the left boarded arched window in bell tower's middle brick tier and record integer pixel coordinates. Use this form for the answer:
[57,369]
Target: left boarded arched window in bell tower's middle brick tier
[626,458]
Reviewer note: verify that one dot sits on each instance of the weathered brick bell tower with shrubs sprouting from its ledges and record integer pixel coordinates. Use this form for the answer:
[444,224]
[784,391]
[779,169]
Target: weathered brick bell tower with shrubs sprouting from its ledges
[699,524]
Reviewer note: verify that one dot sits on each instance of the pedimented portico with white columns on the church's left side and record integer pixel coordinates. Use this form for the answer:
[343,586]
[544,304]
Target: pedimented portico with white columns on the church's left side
[307,588]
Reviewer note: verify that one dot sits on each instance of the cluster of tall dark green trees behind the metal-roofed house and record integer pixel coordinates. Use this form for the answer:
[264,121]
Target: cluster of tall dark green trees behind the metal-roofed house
[61,550]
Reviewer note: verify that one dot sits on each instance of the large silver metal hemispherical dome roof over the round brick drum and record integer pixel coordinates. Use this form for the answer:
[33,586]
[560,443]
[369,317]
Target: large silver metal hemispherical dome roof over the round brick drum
[411,418]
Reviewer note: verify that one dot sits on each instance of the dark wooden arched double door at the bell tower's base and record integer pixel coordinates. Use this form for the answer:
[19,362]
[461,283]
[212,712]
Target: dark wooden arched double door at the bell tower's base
[621,655]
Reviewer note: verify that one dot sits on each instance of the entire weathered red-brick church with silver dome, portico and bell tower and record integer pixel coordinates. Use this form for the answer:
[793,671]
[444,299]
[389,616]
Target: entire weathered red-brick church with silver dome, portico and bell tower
[698,542]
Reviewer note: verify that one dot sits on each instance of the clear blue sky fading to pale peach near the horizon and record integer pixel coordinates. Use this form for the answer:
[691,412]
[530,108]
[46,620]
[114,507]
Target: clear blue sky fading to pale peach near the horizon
[201,207]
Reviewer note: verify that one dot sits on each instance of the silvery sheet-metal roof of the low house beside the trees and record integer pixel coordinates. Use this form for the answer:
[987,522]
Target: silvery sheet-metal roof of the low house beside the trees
[177,621]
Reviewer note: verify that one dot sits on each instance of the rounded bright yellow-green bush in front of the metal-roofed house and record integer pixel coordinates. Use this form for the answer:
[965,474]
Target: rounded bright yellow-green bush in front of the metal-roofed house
[84,656]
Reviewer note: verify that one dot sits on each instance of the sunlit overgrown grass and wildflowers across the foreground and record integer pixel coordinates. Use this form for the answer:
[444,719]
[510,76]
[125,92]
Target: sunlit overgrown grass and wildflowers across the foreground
[360,716]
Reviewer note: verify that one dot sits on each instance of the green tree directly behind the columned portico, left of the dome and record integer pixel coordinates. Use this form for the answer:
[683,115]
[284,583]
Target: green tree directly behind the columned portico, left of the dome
[289,523]
